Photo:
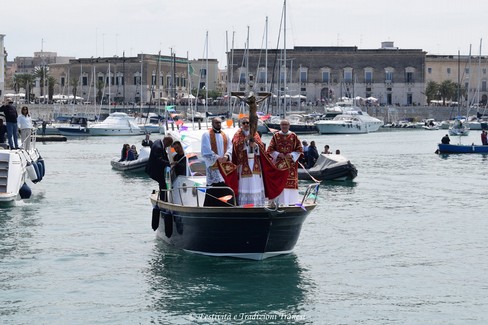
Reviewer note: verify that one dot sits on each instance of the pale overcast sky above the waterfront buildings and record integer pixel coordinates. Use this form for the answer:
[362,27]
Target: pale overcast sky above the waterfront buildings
[96,28]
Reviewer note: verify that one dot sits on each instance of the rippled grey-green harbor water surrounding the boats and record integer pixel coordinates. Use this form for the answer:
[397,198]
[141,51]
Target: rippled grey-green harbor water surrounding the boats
[404,243]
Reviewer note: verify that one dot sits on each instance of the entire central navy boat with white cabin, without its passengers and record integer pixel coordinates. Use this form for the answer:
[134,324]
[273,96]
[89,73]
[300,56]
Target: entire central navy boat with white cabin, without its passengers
[254,233]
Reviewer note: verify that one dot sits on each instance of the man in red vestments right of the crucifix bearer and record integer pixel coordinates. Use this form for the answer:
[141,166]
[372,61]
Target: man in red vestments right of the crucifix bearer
[286,149]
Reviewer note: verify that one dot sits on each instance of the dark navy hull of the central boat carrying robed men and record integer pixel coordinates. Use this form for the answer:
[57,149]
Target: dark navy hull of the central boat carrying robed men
[250,233]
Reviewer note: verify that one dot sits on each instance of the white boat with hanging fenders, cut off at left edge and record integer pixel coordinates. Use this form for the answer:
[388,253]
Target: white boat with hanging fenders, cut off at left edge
[18,167]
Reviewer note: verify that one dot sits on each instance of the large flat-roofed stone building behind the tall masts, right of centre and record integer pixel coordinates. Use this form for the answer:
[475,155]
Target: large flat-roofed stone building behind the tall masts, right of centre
[391,75]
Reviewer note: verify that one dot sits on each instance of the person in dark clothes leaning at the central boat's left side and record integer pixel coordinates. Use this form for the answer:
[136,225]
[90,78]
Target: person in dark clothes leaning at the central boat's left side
[158,161]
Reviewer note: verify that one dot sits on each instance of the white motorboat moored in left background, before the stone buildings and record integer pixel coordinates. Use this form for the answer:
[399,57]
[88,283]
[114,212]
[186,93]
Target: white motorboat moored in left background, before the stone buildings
[115,124]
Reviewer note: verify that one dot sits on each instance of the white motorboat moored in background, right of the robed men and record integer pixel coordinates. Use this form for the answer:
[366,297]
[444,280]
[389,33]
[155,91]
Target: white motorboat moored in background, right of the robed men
[351,121]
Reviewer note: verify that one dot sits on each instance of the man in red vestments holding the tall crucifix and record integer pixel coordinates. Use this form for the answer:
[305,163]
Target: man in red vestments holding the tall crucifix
[245,155]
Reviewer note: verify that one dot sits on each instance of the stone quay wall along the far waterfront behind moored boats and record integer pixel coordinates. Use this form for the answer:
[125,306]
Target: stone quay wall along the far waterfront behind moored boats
[385,113]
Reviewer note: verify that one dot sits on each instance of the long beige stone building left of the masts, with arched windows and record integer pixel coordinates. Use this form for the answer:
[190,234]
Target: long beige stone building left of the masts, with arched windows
[147,77]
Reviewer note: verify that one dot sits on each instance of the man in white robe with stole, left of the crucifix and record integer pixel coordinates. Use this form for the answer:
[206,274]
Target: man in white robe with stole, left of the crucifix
[216,150]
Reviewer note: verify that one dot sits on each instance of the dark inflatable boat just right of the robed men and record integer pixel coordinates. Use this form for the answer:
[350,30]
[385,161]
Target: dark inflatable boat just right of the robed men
[329,167]
